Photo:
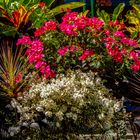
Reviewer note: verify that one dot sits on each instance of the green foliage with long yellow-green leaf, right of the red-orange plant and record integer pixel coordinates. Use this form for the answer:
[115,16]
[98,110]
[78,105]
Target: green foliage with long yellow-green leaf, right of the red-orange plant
[48,12]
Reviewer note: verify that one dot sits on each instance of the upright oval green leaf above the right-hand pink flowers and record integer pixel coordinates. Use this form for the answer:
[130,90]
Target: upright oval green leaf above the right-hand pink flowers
[117,11]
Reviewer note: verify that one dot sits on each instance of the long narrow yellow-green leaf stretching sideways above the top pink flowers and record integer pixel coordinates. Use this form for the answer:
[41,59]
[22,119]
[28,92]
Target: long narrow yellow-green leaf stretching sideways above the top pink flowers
[62,8]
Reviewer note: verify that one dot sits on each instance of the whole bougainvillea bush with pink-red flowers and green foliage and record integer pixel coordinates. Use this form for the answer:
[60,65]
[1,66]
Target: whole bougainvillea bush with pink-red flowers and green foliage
[83,42]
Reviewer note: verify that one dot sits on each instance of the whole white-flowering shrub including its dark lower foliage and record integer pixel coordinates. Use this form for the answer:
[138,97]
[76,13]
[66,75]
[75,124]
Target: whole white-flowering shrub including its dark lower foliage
[72,103]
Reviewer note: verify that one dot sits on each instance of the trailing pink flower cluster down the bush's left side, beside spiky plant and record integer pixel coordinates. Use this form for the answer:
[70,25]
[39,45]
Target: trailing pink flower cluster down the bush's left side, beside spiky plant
[35,56]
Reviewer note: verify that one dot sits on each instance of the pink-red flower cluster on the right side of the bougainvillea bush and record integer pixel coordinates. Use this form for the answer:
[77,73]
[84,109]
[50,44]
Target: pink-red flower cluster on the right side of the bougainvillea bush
[117,42]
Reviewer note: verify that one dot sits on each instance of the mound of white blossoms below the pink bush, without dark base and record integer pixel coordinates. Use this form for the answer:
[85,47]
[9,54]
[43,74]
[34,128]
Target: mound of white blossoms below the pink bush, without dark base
[76,96]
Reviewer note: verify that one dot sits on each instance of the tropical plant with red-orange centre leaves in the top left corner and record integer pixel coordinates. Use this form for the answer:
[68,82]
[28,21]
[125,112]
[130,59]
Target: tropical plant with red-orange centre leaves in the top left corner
[15,16]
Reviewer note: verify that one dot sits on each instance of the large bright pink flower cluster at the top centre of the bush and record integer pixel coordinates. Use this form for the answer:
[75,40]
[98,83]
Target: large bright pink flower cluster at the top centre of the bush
[72,23]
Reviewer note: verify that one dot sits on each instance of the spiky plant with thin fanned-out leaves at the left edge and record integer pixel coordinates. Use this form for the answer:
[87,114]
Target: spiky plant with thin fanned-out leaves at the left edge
[13,69]
